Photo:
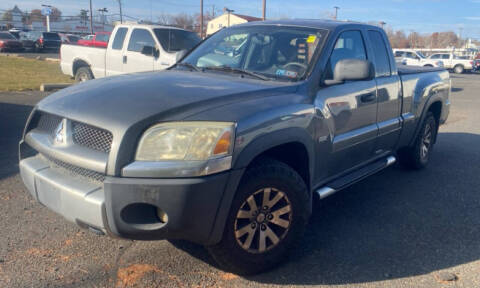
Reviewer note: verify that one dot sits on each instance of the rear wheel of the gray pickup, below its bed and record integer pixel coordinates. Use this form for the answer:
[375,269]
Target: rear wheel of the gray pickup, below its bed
[417,156]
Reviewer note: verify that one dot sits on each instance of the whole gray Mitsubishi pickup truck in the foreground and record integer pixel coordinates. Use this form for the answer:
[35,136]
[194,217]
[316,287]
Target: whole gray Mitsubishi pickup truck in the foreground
[231,146]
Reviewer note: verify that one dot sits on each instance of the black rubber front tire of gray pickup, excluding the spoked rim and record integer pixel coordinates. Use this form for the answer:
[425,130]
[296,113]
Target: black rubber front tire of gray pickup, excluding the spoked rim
[229,253]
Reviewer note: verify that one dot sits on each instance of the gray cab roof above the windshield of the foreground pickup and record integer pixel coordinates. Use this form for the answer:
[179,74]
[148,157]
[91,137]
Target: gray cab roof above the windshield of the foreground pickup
[312,23]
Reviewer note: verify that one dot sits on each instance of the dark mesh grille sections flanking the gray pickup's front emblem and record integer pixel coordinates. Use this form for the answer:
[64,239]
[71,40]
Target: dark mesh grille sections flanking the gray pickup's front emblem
[83,134]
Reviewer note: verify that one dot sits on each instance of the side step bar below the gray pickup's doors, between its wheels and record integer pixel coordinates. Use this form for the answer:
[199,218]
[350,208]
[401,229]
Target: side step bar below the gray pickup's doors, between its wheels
[354,177]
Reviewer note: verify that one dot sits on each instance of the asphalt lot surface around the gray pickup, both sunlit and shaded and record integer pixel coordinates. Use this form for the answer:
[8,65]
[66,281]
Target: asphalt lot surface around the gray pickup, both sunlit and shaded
[396,229]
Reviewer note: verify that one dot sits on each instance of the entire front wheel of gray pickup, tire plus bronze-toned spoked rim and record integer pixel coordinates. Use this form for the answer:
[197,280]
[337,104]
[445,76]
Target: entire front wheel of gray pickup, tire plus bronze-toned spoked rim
[267,217]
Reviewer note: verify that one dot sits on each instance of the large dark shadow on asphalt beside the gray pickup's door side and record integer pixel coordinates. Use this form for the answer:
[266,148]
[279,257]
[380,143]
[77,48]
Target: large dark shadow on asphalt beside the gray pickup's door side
[395,224]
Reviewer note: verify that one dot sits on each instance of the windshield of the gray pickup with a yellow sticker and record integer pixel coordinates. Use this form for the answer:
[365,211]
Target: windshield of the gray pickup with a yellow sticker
[277,52]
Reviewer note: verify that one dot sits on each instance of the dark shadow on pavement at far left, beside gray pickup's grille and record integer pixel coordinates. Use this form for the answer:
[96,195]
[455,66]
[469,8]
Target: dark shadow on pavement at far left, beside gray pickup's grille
[12,122]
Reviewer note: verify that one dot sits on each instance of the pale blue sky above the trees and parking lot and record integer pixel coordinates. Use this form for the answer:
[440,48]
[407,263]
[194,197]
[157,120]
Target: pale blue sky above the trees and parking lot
[424,16]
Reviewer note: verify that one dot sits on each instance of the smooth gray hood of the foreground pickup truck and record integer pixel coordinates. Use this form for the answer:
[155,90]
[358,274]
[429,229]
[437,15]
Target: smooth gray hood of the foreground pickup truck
[157,96]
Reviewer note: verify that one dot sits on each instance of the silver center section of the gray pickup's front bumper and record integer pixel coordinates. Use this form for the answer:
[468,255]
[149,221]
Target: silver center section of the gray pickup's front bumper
[77,200]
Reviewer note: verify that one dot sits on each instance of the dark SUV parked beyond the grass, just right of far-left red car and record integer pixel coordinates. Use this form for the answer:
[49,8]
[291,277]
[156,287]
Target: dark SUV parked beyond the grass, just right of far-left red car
[37,41]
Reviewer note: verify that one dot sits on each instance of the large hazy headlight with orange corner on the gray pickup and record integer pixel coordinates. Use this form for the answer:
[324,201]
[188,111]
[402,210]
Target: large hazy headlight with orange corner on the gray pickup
[186,141]
